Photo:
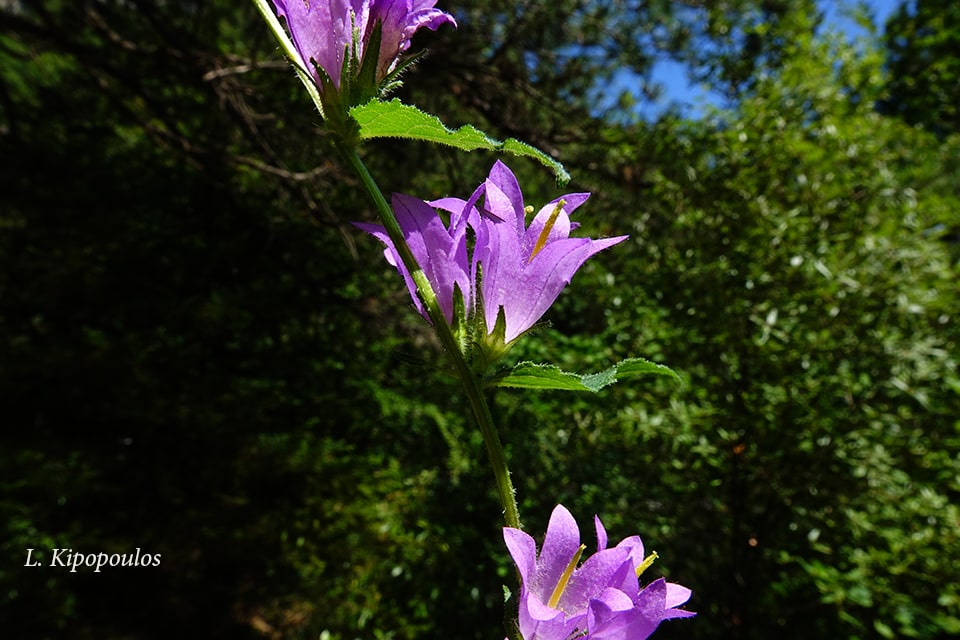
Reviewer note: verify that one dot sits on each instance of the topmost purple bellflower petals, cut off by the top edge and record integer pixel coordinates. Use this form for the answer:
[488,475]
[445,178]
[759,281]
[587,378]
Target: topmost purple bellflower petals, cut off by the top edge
[323,31]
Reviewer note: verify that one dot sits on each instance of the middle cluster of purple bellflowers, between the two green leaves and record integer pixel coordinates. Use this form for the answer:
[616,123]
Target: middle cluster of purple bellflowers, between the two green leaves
[515,270]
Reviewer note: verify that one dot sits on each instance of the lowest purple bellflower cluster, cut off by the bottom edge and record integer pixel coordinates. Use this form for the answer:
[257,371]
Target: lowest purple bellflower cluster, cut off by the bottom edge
[600,599]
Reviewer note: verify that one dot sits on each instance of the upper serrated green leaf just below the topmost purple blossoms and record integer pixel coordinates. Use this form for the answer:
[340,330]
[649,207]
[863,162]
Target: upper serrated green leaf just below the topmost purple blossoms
[393,119]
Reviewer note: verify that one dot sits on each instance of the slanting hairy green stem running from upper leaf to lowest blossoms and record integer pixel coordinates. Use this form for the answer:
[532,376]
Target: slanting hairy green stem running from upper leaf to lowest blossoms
[471,384]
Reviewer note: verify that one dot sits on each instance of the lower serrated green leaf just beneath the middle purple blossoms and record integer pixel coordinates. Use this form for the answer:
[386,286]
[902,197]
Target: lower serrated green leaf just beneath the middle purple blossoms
[529,375]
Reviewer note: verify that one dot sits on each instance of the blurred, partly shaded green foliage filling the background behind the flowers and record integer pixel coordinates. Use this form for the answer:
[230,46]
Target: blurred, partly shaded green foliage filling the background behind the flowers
[201,358]
